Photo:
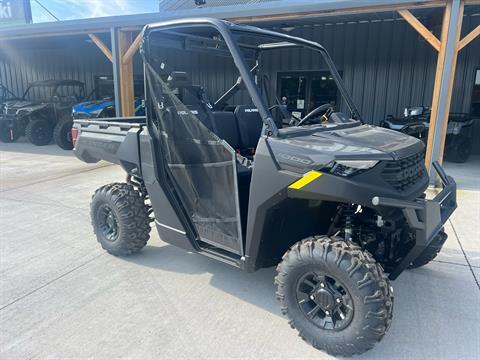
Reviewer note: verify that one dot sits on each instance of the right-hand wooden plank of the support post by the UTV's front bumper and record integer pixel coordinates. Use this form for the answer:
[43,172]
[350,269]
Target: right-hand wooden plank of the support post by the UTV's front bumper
[451,70]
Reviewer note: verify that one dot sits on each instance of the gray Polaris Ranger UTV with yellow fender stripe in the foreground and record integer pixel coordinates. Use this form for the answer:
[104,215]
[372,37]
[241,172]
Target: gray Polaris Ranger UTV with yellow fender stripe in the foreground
[338,206]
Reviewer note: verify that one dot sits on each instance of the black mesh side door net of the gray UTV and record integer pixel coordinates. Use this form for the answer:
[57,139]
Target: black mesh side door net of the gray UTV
[201,166]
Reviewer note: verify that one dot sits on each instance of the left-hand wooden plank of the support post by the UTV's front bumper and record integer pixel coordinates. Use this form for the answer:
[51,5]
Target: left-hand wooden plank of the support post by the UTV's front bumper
[438,83]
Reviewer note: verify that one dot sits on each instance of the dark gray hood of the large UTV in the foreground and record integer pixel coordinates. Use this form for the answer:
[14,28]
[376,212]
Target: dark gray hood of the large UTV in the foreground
[318,146]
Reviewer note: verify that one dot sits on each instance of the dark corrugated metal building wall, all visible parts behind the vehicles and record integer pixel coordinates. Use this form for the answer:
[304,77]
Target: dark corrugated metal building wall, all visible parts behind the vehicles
[385,64]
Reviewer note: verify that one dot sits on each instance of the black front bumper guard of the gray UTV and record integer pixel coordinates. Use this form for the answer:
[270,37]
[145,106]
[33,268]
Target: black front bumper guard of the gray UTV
[425,217]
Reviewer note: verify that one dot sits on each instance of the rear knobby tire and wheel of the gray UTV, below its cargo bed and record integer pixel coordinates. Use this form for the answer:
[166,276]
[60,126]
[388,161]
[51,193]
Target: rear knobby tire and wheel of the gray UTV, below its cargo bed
[120,219]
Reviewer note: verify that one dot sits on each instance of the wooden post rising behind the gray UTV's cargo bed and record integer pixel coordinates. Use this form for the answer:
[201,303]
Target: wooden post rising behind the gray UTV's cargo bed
[126,74]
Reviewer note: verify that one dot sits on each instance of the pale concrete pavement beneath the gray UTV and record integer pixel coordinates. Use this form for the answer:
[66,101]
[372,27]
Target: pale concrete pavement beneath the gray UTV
[62,297]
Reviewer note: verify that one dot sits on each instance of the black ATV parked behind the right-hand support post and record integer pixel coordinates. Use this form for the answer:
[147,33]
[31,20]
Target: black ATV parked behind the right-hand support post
[416,121]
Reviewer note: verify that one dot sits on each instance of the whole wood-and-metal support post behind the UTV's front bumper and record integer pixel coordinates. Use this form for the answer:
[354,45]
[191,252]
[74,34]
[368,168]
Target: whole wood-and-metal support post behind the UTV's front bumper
[444,76]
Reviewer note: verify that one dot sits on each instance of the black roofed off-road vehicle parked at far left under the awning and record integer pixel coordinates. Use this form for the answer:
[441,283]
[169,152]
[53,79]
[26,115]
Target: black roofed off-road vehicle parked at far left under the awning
[42,120]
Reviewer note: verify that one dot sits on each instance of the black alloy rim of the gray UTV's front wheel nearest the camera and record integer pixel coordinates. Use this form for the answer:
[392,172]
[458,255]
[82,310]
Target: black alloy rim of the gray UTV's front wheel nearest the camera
[324,301]
